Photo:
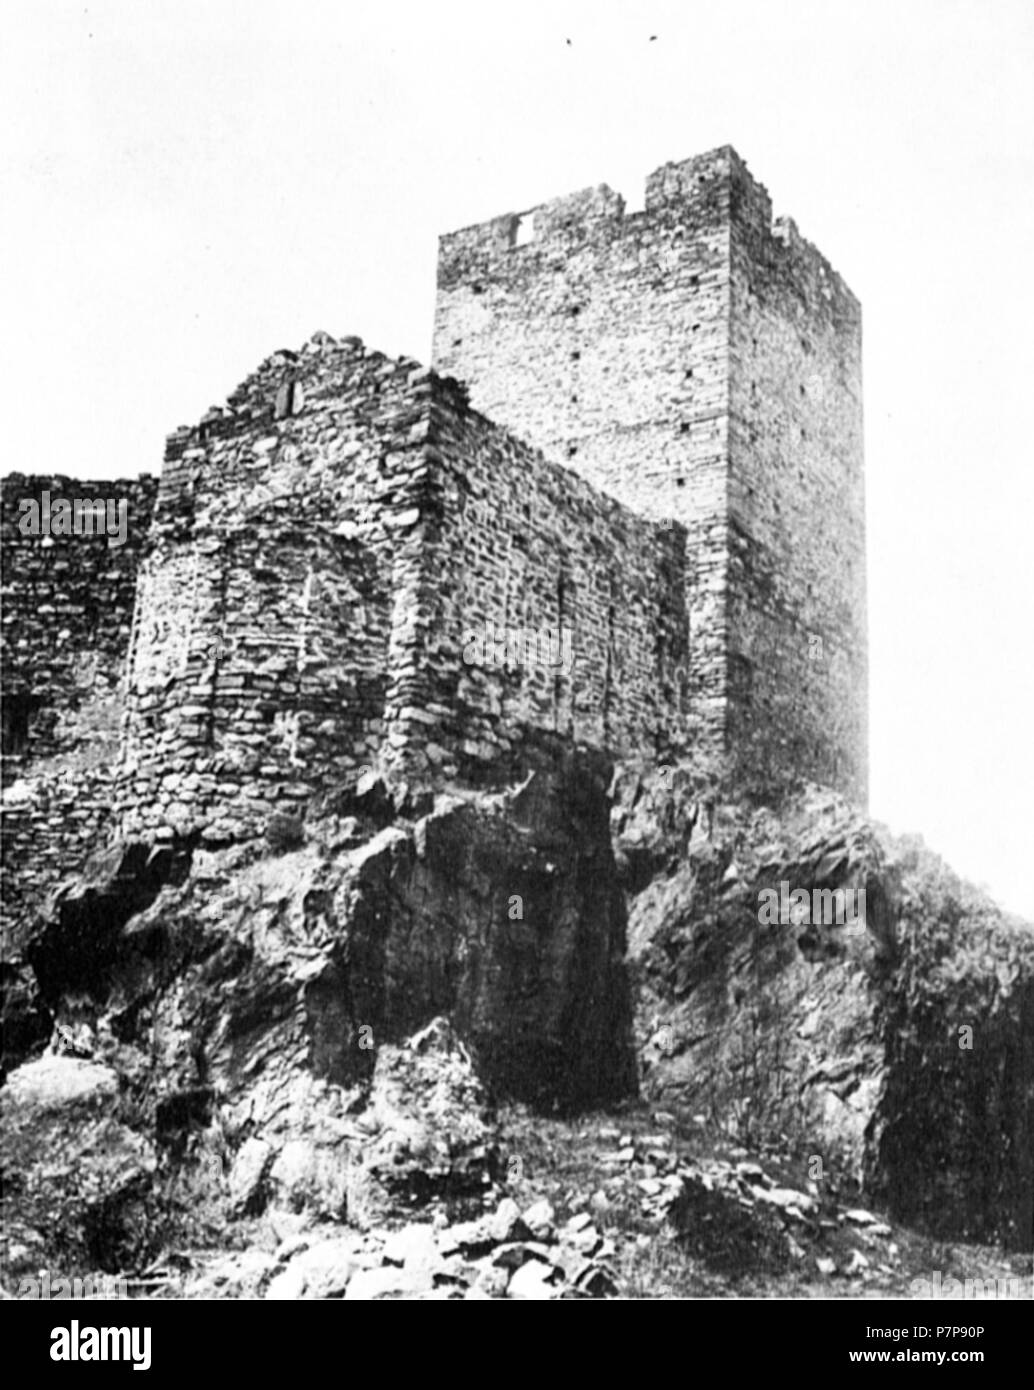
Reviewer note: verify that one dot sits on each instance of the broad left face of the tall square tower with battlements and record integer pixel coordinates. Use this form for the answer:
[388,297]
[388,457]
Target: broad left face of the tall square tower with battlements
[604,341]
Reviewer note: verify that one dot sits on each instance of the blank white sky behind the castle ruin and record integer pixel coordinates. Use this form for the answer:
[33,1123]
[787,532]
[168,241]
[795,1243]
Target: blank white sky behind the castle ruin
[190,187]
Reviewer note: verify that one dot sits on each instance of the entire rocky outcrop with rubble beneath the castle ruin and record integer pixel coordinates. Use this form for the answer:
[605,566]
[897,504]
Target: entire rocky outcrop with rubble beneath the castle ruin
[315,1028]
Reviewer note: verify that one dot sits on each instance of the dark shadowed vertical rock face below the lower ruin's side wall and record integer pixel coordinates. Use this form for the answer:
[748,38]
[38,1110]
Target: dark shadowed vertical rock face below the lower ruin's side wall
[512,921]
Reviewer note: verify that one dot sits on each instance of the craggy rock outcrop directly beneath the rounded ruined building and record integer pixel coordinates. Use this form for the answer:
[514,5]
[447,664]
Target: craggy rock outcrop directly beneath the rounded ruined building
[322,1031]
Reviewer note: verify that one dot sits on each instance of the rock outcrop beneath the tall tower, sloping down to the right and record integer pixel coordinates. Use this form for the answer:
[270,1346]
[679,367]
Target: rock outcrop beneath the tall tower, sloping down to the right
[896,1052]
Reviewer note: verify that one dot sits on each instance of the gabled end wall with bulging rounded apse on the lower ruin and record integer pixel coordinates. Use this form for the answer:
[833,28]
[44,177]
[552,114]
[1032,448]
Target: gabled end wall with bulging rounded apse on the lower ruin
[274,605]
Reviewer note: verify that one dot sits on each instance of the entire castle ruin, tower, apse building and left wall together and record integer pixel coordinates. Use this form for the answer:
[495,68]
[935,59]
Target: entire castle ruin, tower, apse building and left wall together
[643,432]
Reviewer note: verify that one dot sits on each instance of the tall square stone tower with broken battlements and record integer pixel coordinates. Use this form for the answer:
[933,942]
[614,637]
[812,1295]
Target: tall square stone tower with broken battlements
[700,363]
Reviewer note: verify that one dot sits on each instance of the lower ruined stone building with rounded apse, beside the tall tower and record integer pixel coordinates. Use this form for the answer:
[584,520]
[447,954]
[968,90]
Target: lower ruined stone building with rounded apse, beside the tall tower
[323,551]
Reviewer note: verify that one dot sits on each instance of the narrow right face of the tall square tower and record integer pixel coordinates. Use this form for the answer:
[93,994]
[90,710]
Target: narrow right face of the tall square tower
[797,512]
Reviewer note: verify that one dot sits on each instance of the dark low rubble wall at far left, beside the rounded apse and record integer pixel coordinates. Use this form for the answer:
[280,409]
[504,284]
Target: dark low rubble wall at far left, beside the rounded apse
[67,611]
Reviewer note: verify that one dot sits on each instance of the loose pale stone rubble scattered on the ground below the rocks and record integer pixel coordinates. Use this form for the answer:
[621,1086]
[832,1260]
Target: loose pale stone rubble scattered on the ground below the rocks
[733,1213]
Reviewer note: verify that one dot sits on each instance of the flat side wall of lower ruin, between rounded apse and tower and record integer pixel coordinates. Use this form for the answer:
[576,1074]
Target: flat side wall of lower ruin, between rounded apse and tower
[519,546]
